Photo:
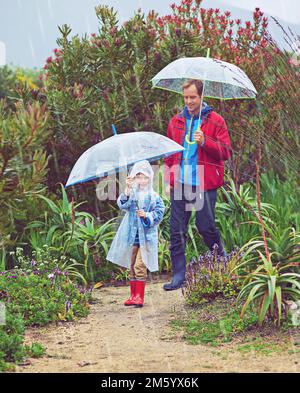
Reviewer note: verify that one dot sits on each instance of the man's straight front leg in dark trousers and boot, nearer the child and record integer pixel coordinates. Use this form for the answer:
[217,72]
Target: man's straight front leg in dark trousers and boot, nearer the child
[178,235]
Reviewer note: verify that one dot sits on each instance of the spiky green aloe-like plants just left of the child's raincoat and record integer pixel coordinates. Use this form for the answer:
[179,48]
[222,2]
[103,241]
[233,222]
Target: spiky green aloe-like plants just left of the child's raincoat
[74,236]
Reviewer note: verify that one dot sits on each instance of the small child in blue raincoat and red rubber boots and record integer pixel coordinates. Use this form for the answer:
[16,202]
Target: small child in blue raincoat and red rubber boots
[135,245]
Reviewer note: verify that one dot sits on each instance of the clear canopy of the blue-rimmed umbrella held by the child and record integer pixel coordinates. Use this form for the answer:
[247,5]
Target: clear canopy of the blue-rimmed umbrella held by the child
[118,152]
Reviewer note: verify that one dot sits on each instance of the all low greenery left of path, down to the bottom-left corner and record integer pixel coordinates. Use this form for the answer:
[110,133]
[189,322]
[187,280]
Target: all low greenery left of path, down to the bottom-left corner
[35,299]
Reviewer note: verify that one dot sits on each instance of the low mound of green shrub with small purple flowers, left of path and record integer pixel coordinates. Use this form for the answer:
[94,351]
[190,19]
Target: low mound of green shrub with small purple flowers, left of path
[44,297]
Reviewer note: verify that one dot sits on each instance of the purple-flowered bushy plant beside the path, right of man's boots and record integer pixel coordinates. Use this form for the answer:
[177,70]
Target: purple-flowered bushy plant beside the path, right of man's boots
[210,277]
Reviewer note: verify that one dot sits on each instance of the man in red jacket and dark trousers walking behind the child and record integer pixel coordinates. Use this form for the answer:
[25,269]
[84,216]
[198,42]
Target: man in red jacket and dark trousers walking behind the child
[196,173]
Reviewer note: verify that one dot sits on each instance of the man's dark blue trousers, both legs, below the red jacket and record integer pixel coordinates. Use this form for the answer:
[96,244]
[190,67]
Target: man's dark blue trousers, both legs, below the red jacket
[205,222]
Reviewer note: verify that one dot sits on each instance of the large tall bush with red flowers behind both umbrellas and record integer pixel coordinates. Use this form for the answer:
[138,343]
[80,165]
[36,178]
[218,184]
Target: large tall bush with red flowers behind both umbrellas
[92,82]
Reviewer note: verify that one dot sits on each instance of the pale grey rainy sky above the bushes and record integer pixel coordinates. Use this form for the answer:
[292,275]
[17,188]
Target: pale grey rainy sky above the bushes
[29,28]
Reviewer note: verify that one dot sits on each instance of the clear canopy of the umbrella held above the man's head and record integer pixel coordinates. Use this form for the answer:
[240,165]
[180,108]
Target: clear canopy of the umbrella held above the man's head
[223,80]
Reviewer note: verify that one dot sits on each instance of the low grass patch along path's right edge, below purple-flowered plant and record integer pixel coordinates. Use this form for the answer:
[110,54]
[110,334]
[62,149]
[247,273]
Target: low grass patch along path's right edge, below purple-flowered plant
[219,323]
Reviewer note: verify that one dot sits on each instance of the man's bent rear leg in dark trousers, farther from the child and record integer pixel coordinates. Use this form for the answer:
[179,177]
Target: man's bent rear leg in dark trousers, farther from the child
[205,222]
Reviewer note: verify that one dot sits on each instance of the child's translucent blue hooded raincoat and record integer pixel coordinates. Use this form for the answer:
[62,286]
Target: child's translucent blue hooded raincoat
[121,248]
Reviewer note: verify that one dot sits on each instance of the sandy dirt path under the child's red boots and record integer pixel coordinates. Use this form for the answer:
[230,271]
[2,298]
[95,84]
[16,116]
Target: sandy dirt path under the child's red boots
[118,339]
